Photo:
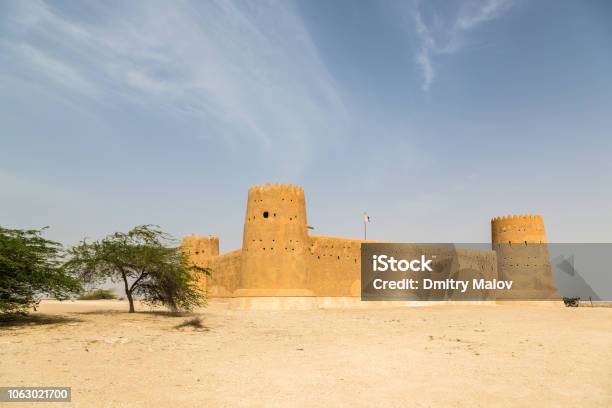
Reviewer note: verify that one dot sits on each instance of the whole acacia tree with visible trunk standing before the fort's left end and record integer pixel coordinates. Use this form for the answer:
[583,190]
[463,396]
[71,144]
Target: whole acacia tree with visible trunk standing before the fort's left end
[148,263]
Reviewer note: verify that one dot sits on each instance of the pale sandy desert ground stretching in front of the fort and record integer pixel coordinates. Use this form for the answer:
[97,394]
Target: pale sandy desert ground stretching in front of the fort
[447,356]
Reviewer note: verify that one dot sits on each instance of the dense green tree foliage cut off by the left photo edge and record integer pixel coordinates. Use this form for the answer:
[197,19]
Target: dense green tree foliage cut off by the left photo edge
[31,266]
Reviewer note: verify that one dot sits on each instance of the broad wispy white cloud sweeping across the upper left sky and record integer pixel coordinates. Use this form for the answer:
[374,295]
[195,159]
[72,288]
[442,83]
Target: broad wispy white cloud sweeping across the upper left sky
[245,71]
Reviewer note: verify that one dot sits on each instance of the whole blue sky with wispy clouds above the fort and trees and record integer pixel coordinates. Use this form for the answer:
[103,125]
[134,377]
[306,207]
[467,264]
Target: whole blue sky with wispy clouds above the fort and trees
[432,116]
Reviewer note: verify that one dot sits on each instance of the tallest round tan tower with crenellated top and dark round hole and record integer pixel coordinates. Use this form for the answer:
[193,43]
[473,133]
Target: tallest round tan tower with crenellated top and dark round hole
[275,242]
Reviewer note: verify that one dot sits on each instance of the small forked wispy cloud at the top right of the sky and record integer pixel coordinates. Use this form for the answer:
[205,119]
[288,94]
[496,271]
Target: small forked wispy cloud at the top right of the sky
[447,35]
